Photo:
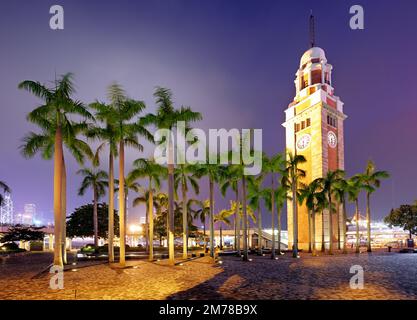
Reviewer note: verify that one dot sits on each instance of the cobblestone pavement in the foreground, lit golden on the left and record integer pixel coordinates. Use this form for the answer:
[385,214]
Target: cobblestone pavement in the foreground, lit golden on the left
[387,276]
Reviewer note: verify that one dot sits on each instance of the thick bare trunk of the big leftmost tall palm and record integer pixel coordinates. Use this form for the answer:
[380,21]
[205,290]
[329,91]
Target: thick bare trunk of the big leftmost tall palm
[58,156]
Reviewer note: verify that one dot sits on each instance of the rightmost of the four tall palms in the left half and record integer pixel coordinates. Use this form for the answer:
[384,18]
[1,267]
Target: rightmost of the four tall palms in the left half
[167,117]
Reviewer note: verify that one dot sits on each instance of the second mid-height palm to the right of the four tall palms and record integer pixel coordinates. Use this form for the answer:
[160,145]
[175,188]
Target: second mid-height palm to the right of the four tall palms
[214,173]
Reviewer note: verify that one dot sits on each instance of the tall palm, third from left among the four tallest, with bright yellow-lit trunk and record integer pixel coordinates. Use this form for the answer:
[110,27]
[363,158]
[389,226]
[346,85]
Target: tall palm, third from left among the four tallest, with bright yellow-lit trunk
[122,114]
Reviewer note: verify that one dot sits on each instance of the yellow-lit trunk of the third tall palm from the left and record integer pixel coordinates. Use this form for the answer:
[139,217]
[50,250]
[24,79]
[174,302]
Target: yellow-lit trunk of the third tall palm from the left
[122,216]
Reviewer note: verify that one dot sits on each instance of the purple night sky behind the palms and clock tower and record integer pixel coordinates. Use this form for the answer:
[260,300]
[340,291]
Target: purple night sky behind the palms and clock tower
[234,61]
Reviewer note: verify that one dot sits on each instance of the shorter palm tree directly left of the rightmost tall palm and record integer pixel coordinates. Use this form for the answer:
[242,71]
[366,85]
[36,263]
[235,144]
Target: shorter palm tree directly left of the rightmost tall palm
[148,168]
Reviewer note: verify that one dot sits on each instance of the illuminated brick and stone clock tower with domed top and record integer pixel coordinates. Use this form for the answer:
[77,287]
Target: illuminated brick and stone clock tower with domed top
[314,129]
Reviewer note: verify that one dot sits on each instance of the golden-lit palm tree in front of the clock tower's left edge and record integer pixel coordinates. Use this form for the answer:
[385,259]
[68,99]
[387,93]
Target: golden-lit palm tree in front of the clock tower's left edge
[290,180]
